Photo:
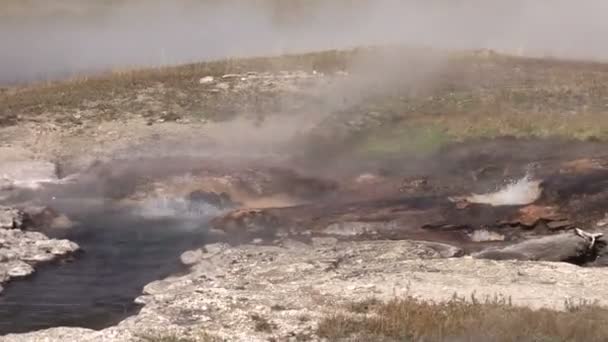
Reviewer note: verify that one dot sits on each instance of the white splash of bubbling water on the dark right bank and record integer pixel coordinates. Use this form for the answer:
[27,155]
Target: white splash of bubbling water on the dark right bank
[521,192]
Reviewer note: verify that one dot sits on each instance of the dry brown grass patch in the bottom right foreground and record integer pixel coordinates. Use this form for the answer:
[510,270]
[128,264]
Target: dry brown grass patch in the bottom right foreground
[496,319]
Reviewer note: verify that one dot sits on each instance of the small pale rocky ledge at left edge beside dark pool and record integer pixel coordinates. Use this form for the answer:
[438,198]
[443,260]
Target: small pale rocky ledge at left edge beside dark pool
[21,250]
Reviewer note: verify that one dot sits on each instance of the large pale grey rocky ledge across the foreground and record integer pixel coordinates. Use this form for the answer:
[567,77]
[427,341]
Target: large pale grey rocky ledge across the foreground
[261,293]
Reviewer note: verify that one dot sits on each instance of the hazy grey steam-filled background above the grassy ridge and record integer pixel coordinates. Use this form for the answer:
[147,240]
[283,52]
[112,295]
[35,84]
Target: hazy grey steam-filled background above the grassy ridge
[47,39]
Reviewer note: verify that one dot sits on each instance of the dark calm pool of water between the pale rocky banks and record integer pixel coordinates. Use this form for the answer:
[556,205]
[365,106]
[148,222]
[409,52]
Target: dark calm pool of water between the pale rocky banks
[96,289]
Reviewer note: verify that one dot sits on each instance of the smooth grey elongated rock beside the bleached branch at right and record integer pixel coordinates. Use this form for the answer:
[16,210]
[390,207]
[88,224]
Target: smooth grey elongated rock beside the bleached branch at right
[561,247]
